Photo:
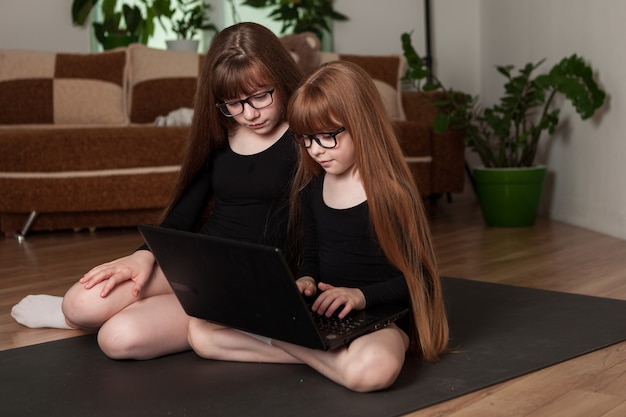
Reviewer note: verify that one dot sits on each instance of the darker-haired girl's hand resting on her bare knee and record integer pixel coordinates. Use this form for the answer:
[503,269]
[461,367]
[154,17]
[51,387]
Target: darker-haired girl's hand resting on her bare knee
[137,267]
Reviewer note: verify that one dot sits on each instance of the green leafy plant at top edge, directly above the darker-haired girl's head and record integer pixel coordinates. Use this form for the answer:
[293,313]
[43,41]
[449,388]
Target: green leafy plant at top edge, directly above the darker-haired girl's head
[298,16]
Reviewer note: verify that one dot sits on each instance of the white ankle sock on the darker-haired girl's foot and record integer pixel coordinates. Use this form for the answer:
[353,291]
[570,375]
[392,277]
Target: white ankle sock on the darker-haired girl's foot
[40,310]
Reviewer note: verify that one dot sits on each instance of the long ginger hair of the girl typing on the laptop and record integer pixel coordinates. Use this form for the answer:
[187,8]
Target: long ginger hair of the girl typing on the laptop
[342,94]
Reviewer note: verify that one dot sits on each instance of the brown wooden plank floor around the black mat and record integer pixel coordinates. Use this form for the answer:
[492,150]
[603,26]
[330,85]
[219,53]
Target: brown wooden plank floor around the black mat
[550,255]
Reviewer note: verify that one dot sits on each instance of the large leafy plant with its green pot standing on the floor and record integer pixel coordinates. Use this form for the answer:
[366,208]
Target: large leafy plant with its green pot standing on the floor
[506,135]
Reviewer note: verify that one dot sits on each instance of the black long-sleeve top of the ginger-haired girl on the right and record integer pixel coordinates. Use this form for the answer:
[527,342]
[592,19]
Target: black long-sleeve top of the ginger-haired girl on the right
[340,248]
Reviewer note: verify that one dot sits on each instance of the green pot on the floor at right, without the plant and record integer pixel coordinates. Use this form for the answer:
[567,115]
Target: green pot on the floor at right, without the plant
[509,197]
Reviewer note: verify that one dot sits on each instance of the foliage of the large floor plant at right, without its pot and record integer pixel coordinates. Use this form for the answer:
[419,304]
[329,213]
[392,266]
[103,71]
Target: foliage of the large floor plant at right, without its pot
[507,134]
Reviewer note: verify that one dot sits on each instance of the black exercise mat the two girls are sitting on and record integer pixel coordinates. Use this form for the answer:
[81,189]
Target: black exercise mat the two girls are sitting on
[501,332]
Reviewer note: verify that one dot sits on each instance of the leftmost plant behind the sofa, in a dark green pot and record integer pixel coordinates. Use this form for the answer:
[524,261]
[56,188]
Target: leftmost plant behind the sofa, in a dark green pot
[122,27]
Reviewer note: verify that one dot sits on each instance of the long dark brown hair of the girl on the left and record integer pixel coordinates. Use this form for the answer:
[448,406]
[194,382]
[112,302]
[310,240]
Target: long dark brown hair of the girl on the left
[241,58]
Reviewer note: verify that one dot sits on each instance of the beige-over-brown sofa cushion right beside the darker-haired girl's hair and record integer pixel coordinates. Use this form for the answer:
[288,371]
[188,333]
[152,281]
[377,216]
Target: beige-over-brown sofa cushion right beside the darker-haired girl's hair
[160,81]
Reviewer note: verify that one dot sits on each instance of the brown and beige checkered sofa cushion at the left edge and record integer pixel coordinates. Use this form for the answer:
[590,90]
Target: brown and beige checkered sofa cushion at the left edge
[38,87]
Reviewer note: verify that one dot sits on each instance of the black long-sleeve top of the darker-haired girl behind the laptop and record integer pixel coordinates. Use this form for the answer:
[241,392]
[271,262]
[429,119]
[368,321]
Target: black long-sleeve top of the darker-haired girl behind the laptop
[250,195]
